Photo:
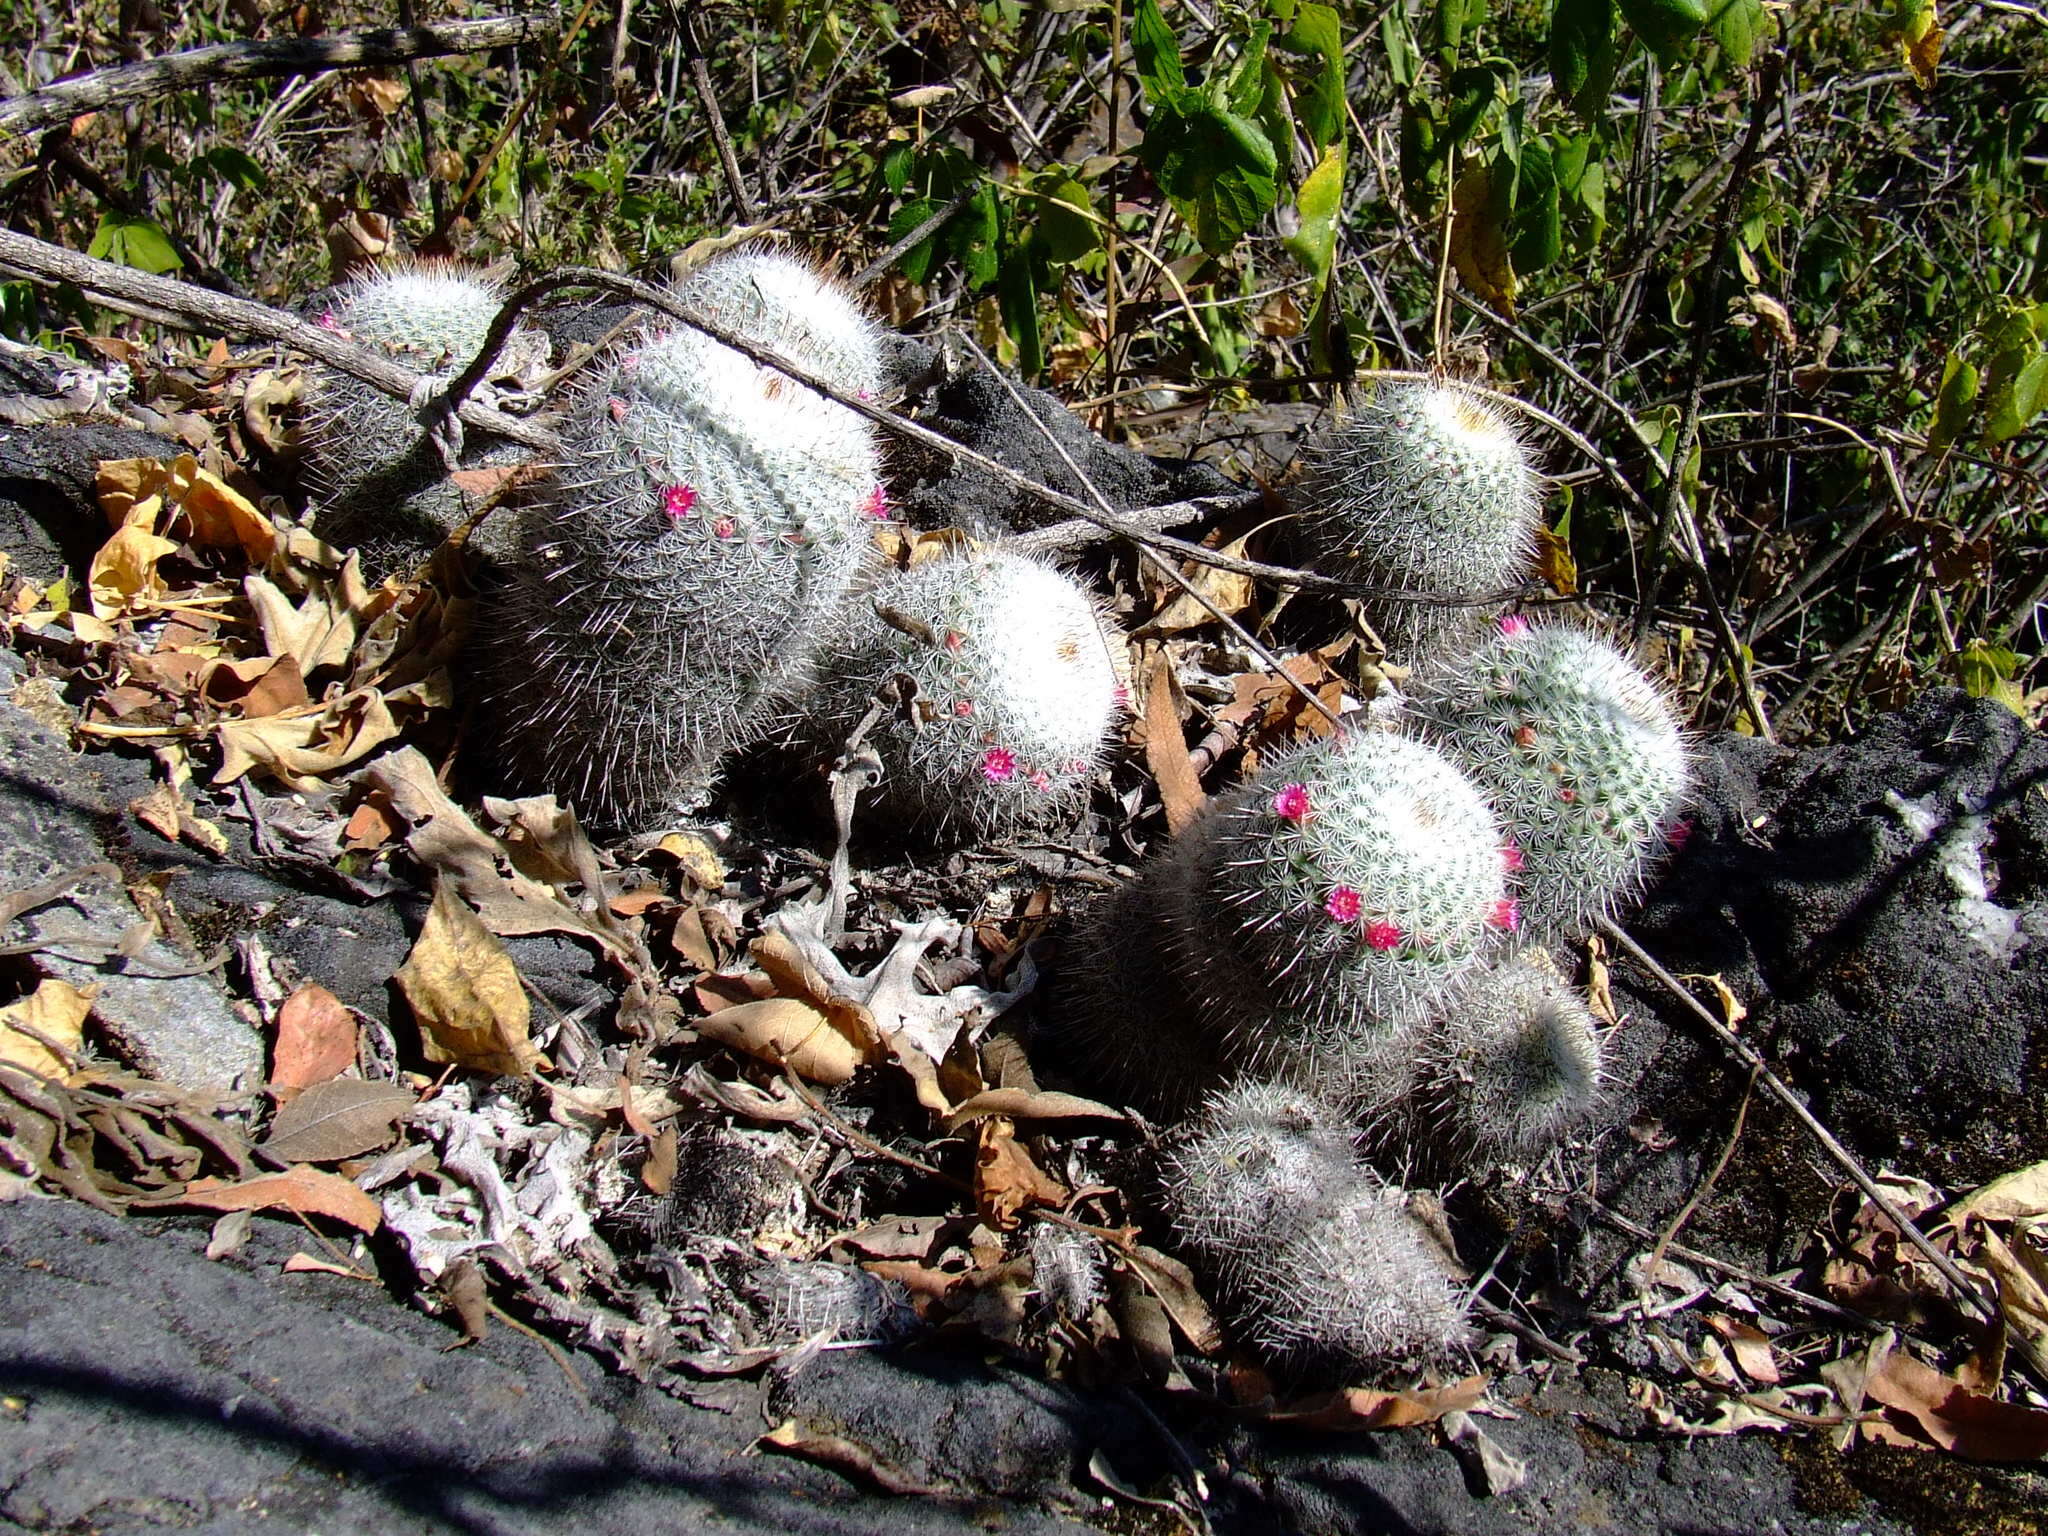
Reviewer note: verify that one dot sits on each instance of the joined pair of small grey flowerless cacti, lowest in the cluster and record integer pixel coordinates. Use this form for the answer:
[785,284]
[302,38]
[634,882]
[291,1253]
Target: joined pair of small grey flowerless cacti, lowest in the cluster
[1320,1263]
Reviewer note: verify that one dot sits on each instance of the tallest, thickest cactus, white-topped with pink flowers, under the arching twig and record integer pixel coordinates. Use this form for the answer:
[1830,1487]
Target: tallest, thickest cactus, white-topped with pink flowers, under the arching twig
[710,521]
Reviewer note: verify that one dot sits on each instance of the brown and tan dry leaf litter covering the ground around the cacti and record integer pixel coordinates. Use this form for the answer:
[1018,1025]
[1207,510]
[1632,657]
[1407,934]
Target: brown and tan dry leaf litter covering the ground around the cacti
[525,1158]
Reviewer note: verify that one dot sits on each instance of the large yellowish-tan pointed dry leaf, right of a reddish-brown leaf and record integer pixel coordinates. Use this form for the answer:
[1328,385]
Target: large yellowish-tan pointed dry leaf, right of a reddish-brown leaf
[468,994]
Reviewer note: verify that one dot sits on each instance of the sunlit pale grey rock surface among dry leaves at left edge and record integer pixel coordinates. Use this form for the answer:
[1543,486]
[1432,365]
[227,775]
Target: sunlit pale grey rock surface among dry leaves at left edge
[173,1027]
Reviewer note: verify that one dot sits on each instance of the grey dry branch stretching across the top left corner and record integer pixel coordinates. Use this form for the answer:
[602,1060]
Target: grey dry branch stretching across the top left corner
[132,83]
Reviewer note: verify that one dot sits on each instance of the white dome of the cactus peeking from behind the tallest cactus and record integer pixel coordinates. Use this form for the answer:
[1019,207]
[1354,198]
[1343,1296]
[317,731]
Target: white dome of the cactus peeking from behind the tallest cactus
[792,308]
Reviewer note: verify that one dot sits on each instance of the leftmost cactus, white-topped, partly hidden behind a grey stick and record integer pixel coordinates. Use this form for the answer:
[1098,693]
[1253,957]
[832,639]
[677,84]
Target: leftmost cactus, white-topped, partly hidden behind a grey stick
[378,480]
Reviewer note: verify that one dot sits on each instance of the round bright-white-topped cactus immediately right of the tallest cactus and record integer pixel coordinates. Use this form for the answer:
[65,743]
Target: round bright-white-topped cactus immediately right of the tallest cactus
[1017,687]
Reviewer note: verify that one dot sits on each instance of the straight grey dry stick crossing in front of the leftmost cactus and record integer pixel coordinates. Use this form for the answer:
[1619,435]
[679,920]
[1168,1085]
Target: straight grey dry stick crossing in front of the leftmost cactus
[204,310]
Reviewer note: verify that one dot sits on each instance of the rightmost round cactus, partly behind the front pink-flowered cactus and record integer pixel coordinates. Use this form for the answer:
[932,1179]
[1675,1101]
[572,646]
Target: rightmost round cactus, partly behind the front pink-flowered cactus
[1580,753]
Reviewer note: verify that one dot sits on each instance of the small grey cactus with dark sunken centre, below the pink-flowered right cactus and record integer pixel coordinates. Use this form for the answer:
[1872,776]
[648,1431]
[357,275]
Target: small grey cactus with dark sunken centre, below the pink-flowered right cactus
[1510,1068]
